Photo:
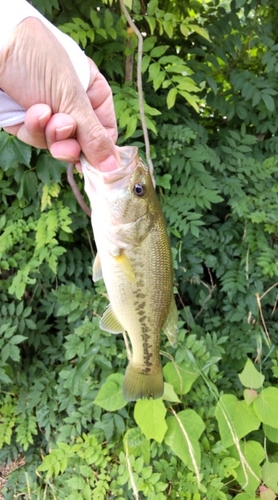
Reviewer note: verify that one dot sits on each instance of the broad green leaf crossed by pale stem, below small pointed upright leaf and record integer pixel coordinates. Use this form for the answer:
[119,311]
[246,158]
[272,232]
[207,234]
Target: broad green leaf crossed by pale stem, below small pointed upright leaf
[235,419]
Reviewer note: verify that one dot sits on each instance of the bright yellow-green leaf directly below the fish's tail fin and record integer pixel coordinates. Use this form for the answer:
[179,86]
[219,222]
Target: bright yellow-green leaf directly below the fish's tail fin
[149,414]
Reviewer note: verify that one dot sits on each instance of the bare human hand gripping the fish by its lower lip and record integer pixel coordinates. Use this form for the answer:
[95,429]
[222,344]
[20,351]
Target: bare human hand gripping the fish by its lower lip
[67,119]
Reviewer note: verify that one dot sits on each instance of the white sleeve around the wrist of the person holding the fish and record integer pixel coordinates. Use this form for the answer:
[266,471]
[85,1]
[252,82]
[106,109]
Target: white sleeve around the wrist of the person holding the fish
[12,12]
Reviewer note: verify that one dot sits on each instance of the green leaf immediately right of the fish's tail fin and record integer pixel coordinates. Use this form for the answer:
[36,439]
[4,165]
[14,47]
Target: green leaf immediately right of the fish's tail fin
[180,375]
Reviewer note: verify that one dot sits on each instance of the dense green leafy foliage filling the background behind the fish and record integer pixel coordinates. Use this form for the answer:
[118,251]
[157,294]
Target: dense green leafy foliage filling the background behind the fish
[209,73]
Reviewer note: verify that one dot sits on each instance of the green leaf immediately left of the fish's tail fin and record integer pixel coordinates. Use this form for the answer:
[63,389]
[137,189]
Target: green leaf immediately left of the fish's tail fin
[110,395]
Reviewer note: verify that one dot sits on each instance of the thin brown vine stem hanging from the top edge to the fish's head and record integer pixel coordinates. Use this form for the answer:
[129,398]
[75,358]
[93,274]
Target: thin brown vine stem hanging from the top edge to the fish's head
[139,83]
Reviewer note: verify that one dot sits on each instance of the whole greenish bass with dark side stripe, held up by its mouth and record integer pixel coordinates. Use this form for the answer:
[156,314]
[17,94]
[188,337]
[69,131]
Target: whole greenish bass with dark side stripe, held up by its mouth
[134,259]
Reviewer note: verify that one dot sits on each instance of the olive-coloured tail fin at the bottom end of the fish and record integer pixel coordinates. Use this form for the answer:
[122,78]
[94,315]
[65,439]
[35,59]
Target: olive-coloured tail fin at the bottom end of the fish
[138,385]
